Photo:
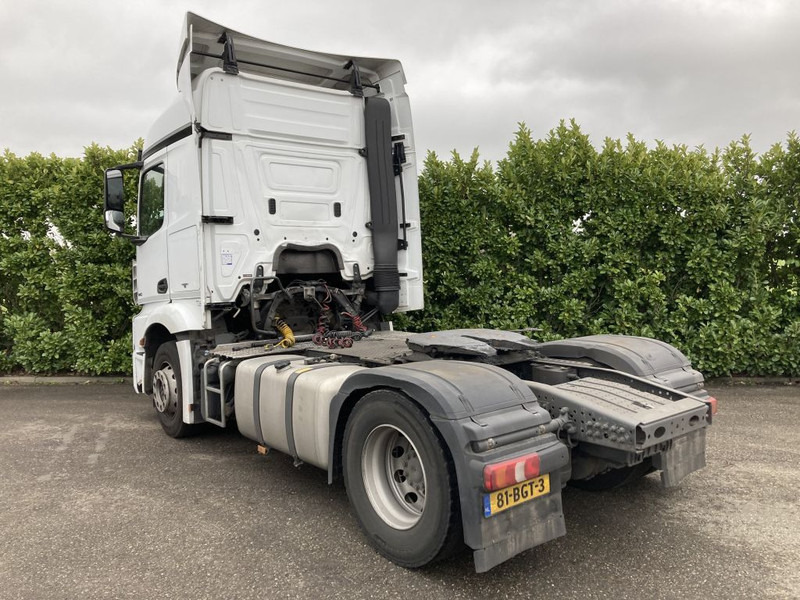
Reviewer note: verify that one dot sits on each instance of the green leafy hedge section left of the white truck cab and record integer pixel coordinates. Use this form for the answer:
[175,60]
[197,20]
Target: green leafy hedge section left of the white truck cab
[65,284]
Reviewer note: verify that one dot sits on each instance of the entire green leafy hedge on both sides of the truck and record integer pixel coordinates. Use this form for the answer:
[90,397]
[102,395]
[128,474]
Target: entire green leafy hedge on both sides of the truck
[696,248]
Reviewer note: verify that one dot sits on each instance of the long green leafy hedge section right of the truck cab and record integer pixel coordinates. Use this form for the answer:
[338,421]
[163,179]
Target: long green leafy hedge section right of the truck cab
[695,248]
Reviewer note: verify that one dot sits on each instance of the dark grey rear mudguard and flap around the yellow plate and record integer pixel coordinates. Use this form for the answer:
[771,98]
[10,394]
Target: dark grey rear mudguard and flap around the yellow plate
[470,403]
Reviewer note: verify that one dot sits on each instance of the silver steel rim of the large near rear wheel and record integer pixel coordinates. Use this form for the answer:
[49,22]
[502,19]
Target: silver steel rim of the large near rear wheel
[394,477]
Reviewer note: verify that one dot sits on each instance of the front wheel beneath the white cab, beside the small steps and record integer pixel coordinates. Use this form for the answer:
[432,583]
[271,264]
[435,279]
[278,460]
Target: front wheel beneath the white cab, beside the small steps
[168,391]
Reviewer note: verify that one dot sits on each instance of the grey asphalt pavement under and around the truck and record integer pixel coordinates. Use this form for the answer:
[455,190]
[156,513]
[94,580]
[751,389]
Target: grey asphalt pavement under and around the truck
[96,502]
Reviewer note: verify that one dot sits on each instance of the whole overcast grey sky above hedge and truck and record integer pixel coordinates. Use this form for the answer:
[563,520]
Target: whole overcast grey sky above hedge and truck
[683,71]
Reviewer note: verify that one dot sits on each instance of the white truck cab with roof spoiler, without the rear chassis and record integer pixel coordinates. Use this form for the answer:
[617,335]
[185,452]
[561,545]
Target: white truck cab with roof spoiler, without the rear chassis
[274,166]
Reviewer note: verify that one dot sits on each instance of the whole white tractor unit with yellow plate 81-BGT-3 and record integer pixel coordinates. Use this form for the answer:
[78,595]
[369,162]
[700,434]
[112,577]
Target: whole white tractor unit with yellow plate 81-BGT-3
[276,226]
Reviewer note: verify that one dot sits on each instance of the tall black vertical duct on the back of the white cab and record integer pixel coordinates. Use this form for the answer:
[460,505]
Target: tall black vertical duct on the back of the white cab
[382,203]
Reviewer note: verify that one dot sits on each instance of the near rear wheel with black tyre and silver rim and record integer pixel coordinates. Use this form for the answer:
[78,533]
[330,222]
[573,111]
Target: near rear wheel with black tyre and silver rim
[400,481]
